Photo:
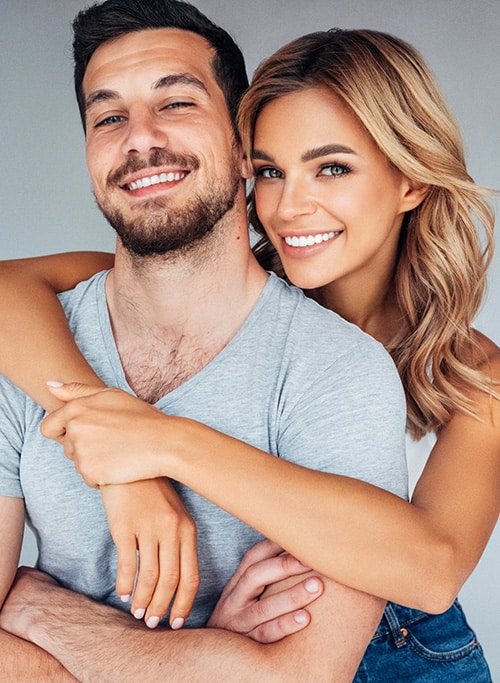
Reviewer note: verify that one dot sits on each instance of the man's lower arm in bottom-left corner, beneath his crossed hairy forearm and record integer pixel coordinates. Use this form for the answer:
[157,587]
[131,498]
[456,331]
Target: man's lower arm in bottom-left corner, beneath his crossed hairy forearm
[24,662]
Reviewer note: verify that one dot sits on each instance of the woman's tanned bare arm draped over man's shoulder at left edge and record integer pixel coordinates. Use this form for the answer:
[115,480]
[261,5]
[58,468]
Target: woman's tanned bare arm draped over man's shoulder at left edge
[35,341]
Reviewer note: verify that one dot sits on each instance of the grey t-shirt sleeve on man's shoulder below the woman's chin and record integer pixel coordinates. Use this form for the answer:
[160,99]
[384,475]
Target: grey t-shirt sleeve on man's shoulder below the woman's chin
[349,418]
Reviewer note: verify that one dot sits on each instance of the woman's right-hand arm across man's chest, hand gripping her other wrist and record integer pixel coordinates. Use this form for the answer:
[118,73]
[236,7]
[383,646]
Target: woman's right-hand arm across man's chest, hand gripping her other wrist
[416,554]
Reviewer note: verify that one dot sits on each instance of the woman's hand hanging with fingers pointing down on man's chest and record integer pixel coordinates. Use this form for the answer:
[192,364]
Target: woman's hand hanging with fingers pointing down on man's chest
[155,539]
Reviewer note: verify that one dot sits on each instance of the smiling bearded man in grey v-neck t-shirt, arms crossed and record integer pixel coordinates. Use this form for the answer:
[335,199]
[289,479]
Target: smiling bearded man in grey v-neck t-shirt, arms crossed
[190,312]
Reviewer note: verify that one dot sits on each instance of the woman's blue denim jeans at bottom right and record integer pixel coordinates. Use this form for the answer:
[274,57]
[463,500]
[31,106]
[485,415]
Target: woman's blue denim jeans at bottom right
[413,646]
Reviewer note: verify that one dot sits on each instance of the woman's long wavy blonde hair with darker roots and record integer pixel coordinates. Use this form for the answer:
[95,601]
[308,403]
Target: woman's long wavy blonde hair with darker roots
[441,272]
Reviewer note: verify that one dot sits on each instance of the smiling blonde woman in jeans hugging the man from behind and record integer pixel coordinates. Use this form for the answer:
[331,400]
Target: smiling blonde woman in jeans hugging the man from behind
[372,212]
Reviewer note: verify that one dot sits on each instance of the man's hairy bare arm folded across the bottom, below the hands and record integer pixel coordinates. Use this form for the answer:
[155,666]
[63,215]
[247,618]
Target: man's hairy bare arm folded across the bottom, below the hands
[96,642]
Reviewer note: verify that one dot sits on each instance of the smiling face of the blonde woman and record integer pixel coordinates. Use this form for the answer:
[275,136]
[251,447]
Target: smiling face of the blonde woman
[331,203]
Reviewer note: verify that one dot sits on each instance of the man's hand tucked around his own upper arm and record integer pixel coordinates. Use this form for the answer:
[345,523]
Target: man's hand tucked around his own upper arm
[245,607]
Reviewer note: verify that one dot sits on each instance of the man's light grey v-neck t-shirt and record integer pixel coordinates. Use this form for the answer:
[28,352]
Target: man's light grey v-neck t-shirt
[296,381]
